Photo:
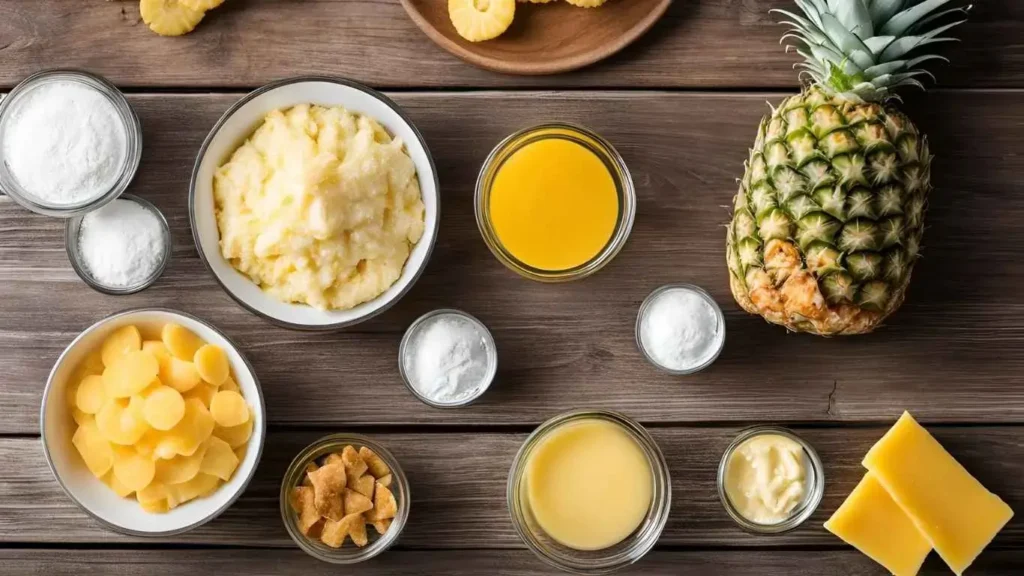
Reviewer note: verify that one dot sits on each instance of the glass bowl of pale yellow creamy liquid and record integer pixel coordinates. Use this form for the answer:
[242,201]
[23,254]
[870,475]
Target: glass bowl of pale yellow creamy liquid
[589,492]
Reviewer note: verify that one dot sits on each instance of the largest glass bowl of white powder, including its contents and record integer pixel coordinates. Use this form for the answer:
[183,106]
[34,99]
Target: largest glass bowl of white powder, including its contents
[70,143]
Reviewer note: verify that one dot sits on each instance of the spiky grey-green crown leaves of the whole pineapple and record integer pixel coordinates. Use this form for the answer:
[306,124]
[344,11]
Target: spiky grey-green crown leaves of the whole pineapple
[863,49]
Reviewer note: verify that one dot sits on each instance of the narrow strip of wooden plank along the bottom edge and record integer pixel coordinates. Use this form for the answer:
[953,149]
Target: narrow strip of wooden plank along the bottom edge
[463,563]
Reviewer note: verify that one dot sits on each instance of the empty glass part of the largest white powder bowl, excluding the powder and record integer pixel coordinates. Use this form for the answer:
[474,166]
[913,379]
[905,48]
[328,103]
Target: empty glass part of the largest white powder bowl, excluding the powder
[134,140]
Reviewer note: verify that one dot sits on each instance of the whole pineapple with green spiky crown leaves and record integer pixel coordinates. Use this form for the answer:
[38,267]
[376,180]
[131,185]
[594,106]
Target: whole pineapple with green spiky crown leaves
[827,225]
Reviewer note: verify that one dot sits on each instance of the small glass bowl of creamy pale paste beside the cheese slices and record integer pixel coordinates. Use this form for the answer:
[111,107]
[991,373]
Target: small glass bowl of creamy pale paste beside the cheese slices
[781,501]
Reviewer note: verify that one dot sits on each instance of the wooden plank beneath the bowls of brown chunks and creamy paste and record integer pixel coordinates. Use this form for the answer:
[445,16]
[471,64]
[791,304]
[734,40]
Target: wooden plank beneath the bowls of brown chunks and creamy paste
[458,484]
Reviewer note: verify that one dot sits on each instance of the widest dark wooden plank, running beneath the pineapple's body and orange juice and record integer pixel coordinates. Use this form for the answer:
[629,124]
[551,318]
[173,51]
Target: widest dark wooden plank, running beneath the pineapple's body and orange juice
[952,354]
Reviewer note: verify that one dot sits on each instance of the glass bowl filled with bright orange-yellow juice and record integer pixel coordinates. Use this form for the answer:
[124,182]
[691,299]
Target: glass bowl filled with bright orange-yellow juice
[556,202]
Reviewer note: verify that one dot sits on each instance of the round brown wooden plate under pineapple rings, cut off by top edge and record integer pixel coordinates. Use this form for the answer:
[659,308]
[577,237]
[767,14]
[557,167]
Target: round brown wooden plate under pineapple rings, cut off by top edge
[544,38]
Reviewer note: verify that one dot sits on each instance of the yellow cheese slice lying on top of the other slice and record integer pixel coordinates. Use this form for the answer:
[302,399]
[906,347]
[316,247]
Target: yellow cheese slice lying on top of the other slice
[951,508]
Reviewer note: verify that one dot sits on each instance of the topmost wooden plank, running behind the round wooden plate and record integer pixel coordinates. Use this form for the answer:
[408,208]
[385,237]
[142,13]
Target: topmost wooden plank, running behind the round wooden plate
[704,44]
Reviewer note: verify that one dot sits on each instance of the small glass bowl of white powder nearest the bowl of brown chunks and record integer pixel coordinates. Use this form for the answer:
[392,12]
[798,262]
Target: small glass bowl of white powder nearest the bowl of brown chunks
[448,358]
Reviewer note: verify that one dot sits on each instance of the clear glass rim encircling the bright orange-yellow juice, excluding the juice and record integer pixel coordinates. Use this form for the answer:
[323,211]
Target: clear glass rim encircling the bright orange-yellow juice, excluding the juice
[624,226]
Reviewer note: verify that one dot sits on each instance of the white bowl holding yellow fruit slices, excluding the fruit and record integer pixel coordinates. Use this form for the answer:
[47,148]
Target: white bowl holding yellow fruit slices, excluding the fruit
[123,515]
